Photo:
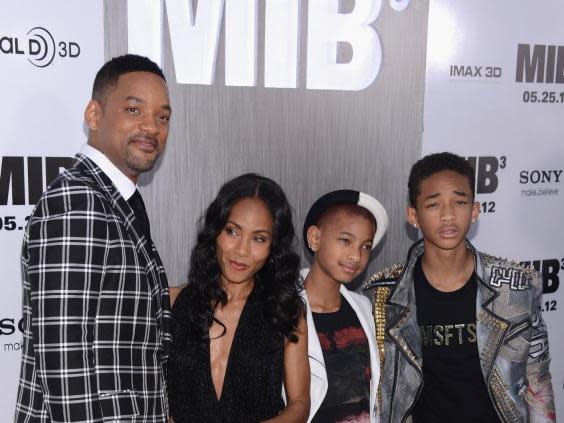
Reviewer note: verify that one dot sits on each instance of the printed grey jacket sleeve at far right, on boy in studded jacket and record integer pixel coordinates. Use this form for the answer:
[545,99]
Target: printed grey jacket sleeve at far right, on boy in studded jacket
[539,396]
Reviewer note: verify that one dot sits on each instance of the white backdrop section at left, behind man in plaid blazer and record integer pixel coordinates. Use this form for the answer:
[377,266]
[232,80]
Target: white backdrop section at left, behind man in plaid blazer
[49,54]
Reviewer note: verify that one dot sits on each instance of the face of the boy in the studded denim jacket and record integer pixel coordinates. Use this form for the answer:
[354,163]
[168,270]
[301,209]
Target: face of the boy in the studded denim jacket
[444,209]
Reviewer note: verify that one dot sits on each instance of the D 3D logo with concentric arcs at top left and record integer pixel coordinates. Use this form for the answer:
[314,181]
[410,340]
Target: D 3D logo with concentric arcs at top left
[39,46]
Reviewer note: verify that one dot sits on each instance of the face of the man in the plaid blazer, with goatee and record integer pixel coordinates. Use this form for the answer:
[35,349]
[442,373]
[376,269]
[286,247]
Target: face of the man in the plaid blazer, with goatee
[130,124]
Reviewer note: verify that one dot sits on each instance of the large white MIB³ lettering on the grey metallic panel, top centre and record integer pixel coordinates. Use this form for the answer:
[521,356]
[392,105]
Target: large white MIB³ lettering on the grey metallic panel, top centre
[343,47]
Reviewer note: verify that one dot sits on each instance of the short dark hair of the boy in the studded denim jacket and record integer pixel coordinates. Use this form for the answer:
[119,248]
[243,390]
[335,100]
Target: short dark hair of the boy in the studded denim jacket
[434,163]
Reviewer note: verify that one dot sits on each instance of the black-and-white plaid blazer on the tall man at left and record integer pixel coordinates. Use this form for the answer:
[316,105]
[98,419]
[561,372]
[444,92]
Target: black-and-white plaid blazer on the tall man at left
[95,306]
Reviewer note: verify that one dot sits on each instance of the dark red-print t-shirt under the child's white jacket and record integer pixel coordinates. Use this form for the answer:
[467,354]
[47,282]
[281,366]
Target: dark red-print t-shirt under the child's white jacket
[347,360]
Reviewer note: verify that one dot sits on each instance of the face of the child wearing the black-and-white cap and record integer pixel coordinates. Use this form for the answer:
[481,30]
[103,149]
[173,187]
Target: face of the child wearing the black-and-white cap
[342,245]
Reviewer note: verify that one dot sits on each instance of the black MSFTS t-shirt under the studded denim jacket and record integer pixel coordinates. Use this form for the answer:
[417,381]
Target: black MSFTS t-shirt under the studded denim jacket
[453,384]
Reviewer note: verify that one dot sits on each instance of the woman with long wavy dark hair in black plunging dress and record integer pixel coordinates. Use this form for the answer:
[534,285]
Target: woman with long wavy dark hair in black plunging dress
[240,333]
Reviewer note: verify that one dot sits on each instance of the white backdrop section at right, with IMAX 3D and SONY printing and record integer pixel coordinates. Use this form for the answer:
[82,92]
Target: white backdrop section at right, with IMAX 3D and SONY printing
[495,94]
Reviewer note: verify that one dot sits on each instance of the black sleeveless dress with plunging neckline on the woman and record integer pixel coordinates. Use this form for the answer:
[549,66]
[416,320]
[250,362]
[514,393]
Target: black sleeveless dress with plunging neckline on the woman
[252,388]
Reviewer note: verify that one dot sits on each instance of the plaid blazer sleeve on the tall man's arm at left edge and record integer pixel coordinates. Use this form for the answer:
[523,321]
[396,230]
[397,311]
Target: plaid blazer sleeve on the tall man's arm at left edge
[66,252]
